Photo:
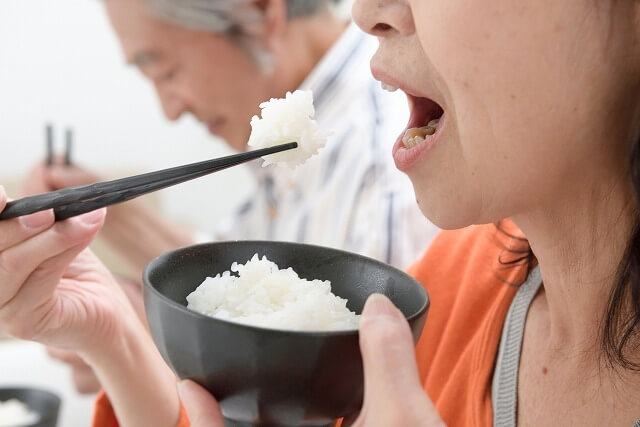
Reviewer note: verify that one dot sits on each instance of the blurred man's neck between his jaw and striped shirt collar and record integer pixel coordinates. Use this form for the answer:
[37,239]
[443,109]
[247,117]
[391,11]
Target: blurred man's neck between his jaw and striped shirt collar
[304,44]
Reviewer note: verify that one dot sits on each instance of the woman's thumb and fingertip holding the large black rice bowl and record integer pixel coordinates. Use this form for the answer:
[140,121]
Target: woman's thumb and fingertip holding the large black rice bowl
[393,395]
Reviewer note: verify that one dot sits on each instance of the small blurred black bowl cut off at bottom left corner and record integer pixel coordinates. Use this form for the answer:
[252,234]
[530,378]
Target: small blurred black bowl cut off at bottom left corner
[42,402]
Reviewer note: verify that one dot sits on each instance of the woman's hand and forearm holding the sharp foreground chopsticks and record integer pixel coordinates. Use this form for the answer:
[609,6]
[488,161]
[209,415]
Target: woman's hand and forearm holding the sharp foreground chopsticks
[55,291]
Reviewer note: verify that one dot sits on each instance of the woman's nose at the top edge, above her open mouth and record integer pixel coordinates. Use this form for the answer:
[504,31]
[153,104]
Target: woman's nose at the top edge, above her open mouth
[384,18]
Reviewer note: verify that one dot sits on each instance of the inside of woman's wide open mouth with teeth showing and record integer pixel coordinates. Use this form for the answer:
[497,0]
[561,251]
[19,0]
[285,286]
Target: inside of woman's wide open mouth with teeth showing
[424,122]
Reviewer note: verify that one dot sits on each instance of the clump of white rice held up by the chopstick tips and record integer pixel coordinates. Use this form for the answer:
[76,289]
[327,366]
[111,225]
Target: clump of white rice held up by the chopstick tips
[288,119]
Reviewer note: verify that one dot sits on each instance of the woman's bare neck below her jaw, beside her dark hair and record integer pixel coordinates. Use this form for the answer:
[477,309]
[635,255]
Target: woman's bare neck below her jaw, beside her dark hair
[579,243]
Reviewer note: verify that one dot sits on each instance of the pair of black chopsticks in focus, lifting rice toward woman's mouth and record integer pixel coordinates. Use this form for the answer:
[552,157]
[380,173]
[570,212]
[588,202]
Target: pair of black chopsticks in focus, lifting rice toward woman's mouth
[74,201]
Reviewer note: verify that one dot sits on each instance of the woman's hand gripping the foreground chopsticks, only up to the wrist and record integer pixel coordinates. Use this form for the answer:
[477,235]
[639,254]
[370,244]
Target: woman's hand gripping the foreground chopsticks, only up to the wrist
[52,290]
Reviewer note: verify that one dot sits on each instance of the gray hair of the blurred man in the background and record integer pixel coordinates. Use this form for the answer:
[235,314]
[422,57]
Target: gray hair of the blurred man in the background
[229,17]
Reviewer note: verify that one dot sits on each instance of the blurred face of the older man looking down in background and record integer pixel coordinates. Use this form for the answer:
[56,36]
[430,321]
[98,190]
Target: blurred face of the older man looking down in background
[194,72]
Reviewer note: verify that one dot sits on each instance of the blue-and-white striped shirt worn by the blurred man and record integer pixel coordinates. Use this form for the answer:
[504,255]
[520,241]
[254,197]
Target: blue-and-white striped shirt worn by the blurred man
[350,195]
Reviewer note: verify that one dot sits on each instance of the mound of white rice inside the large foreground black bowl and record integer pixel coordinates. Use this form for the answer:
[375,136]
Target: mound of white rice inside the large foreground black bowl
[263,295]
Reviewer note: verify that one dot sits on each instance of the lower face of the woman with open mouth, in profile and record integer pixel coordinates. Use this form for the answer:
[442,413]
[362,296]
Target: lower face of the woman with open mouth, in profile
[534,98]
